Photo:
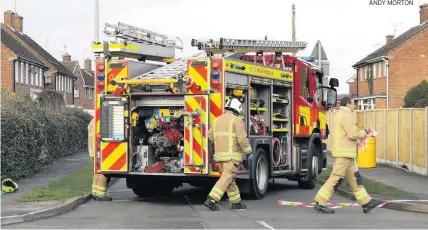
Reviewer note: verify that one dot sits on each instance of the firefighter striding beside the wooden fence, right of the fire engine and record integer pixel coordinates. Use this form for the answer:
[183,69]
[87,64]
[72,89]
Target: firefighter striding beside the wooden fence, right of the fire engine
[344,136]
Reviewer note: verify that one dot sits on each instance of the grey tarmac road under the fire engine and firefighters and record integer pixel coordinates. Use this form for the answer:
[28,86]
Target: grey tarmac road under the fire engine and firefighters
[185,210]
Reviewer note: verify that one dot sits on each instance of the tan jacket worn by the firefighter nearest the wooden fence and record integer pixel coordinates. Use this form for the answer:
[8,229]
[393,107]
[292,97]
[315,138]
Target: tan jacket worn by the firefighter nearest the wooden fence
[344,134]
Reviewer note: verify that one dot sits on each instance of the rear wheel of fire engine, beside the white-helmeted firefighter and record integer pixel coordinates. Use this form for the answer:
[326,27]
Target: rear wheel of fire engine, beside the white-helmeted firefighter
[259,174]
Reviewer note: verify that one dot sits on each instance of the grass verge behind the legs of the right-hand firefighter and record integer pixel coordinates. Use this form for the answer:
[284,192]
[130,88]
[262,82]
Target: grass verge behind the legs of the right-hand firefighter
[372,186]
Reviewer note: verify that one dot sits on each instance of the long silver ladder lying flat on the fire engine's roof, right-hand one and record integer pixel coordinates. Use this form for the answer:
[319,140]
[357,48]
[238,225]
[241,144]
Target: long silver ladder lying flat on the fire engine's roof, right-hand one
[226,45]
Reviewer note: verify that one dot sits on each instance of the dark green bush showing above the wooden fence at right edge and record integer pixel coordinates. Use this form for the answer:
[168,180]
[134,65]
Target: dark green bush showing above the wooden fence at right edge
[417,96]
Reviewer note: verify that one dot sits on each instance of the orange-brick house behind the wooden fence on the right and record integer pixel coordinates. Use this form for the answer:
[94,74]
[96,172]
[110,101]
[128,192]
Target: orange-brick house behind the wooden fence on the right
[384,76]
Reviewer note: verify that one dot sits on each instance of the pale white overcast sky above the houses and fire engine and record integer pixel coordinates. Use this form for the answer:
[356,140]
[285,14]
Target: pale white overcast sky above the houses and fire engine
[348,29]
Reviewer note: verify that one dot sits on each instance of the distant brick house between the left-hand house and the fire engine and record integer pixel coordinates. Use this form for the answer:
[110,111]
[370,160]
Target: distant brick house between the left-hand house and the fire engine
[84,84]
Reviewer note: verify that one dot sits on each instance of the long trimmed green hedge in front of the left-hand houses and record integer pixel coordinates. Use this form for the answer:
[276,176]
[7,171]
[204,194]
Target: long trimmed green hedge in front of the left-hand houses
[34,134]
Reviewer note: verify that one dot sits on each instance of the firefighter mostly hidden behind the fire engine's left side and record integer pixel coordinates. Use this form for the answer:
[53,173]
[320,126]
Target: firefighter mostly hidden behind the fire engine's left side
[99,184]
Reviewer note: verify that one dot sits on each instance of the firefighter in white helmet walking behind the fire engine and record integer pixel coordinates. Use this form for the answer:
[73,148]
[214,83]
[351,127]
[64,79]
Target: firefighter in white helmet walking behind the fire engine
[230,141]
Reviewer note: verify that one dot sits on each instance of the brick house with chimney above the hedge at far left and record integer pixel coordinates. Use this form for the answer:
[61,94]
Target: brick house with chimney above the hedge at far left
[27,67]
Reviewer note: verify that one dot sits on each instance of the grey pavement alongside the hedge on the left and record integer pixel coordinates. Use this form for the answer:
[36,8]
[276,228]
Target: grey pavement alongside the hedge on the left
[61,167]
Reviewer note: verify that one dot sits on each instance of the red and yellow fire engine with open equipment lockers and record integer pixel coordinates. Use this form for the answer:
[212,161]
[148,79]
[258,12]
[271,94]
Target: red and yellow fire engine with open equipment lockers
[152,122]
